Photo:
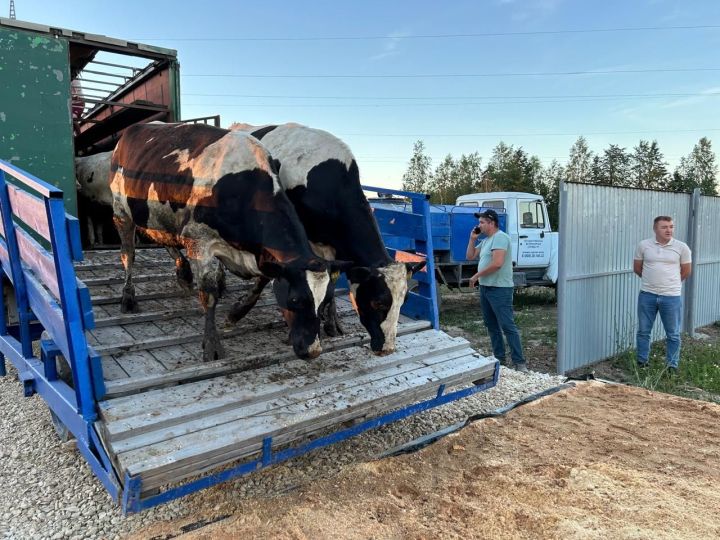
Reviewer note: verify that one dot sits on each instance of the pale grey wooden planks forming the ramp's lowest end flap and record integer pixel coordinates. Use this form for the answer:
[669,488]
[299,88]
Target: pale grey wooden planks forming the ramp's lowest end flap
[168,431]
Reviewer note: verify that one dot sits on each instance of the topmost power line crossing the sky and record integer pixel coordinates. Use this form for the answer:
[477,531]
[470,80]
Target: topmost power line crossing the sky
[444,36]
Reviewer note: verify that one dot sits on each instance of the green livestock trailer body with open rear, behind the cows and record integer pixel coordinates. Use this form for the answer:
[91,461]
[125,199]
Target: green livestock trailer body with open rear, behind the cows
[65,93]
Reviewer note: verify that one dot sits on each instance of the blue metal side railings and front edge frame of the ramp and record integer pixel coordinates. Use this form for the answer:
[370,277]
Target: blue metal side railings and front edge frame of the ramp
[50,299]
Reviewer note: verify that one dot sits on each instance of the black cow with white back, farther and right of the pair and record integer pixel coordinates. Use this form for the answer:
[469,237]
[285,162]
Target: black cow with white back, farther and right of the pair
[321,178]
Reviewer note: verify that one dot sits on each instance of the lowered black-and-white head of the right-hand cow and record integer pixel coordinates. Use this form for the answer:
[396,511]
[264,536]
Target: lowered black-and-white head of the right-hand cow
[379,293]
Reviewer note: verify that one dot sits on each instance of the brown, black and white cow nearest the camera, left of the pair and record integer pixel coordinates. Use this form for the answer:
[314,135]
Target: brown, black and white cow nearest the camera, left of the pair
[215,193]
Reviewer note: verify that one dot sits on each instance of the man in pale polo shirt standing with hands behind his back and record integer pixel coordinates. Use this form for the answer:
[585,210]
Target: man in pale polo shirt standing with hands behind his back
[663,263]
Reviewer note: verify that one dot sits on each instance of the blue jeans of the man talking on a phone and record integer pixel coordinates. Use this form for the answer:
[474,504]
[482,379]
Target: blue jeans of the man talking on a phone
[496,304]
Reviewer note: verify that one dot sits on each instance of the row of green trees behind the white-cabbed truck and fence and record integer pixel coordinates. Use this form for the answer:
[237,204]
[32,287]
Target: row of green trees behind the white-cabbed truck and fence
[511,168]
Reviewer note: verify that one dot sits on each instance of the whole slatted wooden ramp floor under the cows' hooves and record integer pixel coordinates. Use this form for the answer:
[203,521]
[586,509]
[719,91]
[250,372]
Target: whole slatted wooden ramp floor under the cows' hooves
[168,416]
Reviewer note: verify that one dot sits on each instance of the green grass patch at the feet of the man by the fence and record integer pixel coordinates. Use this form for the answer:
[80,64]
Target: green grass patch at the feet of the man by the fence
[698,374]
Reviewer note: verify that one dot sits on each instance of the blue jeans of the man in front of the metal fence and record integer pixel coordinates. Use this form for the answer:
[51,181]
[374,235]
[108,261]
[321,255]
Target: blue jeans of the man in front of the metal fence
[670,308]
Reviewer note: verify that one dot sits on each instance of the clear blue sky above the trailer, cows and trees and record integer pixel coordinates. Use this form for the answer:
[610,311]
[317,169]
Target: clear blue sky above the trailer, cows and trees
[381,115]
